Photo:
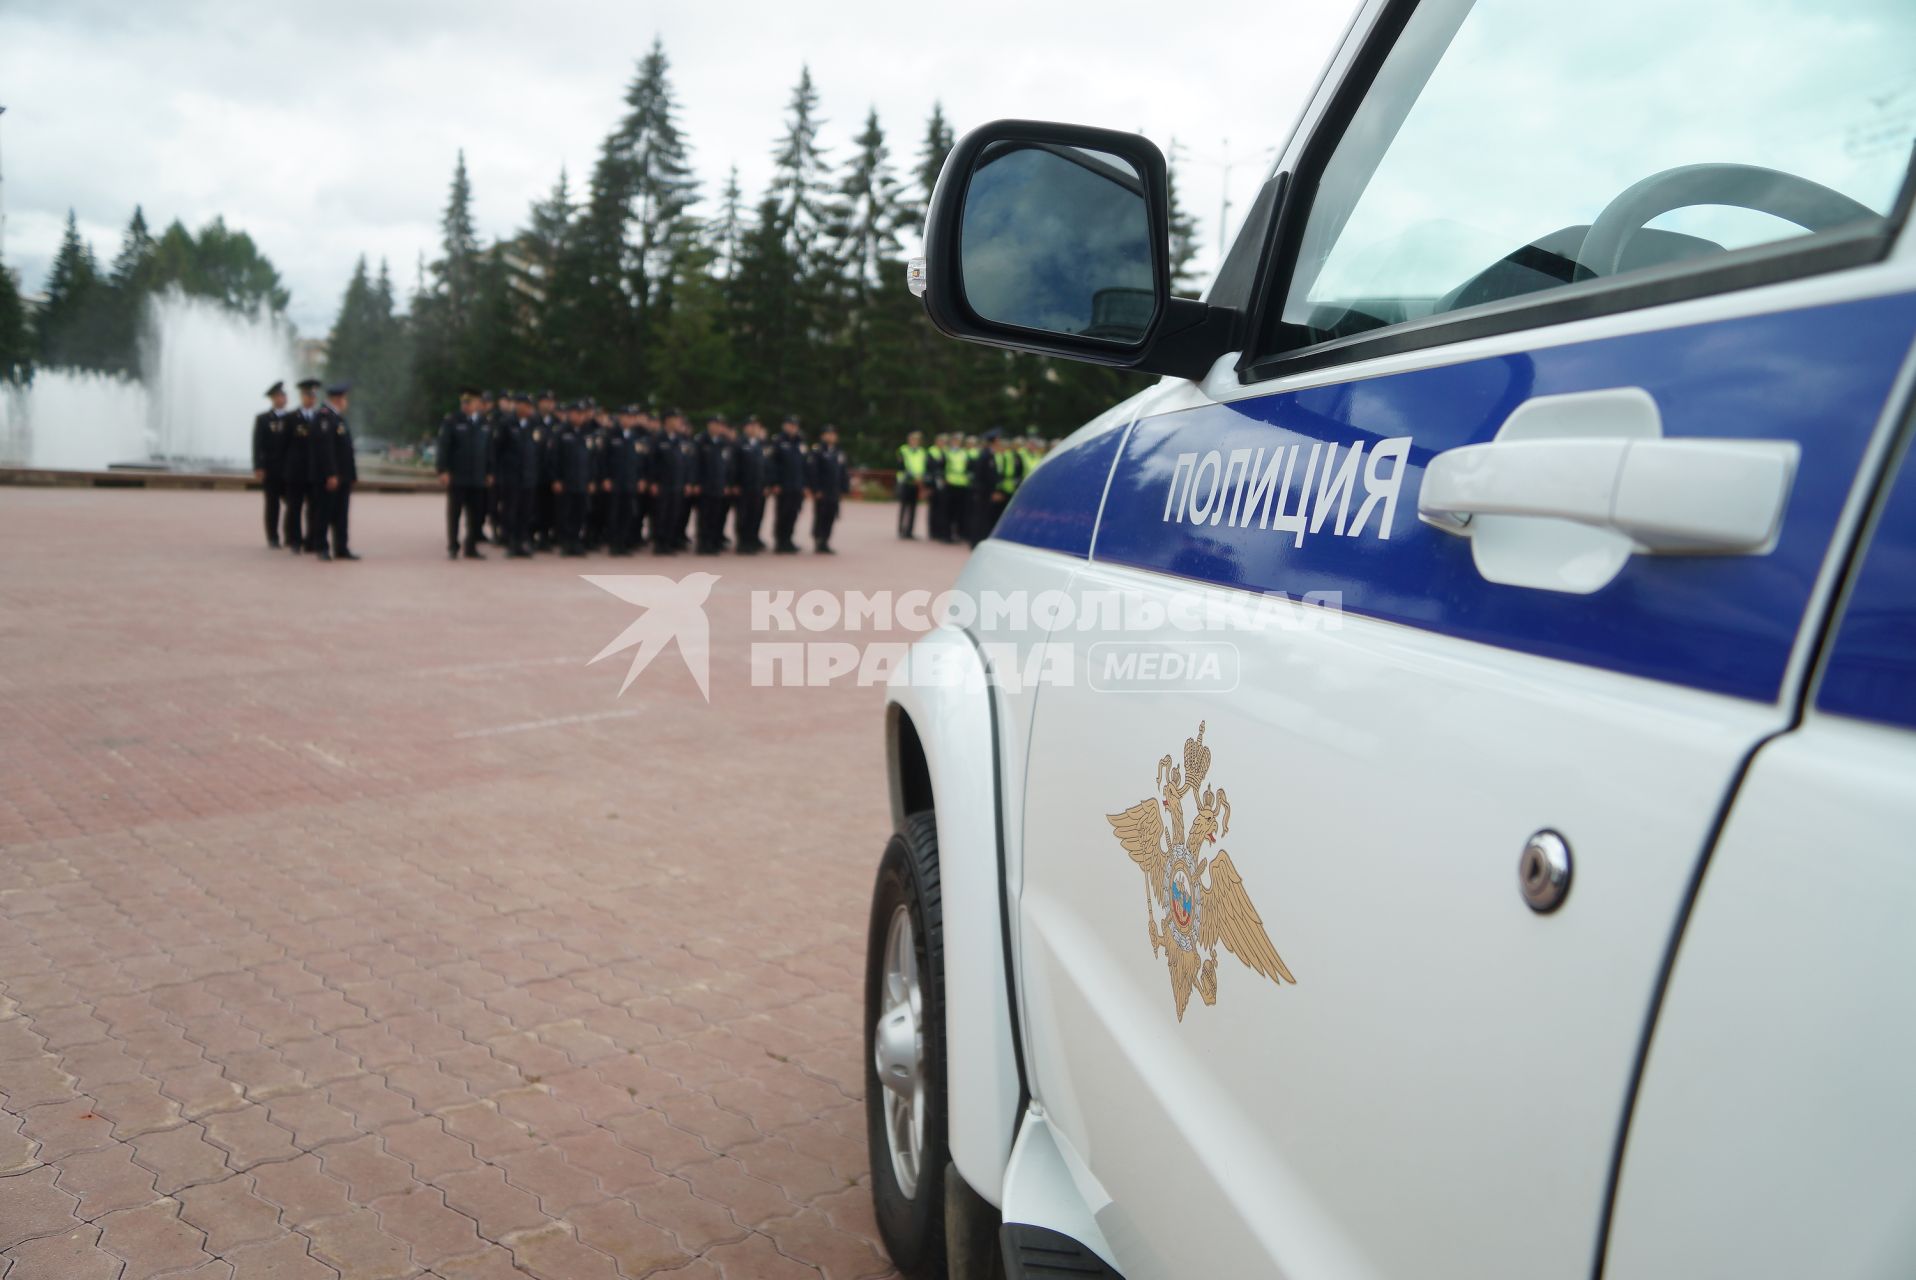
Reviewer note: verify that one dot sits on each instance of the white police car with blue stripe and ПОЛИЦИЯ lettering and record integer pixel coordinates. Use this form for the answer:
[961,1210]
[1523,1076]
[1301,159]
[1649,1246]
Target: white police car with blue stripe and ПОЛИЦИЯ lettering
[1547,909]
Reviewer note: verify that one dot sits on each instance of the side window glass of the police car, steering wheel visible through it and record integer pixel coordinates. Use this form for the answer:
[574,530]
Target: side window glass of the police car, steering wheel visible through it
[1517,147]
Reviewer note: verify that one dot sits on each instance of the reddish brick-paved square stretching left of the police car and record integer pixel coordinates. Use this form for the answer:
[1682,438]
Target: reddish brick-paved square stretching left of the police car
[352,925]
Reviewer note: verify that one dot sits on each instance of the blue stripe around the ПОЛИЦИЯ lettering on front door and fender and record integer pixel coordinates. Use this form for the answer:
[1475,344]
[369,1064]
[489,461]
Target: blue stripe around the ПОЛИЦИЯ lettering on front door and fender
[1819,377]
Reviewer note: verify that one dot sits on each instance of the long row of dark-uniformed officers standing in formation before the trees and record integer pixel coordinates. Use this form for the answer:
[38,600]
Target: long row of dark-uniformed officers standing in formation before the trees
[585,478]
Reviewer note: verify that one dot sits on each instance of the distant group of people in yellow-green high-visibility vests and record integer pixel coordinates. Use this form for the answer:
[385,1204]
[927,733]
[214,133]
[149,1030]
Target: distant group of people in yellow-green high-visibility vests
[965,482]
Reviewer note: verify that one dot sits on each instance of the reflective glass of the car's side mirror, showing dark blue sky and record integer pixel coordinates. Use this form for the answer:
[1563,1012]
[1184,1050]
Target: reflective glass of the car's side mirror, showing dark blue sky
[1059,239]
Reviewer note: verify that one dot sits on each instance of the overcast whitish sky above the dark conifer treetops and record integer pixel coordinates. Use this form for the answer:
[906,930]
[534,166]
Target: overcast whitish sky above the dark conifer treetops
[331,129]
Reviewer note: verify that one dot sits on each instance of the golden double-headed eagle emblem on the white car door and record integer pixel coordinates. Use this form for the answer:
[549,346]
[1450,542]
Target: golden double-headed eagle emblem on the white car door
[1185,915]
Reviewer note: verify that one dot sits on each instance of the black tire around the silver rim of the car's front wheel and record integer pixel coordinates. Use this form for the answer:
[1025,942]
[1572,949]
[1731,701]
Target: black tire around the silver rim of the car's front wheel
[913,1225]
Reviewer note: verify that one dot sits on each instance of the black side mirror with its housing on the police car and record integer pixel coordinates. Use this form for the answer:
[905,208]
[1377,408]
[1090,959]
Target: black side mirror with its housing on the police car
[1055,240]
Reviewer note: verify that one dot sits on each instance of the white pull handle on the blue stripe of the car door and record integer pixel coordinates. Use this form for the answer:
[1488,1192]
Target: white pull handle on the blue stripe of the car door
[1677,497]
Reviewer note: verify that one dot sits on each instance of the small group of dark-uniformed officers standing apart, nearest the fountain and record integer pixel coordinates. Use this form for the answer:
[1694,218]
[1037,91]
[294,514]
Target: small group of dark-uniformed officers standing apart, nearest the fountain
[304,461]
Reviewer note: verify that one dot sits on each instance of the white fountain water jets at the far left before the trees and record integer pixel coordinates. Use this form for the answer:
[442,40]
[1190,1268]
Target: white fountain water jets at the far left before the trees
[202,373]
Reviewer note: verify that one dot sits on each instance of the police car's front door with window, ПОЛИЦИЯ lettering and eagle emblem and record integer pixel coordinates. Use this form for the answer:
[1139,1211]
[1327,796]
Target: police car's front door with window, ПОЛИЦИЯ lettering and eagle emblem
[1338,934]
